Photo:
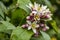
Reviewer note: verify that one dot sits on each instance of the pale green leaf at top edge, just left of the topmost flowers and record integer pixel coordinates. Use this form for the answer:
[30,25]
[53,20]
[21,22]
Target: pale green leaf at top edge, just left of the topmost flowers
[22,4]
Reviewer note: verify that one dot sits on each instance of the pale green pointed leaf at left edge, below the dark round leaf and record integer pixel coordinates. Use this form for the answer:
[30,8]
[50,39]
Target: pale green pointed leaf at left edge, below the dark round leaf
[6,26]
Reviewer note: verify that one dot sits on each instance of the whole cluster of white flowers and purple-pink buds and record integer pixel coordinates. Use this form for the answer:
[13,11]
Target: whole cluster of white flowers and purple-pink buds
[37,18]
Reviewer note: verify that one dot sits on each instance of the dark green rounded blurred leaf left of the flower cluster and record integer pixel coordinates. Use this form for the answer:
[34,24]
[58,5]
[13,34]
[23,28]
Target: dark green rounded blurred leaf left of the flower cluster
[18,16]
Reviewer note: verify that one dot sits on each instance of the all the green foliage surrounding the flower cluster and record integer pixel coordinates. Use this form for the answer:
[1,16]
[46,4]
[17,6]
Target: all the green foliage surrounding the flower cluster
[13,14]
